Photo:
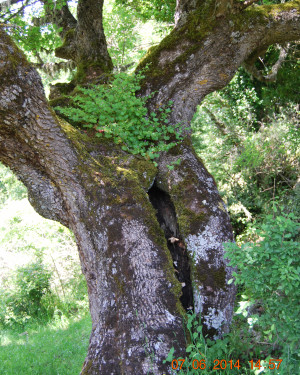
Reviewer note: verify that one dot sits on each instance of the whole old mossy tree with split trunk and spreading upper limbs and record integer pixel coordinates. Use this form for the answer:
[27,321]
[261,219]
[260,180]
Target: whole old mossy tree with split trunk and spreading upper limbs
[137,225]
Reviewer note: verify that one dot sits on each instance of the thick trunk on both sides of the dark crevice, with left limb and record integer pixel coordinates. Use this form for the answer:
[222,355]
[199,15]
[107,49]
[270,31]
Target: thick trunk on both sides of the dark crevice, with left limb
[122,211]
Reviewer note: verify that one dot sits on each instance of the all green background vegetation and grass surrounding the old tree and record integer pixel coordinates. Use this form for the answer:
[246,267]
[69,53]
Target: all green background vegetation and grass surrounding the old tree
[248,137]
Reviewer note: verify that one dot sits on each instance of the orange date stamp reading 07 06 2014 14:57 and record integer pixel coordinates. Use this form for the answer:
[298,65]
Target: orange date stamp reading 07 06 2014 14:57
[222,364]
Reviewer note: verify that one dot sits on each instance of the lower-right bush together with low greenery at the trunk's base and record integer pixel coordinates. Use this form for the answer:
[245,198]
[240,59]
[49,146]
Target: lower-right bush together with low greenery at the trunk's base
[266,324]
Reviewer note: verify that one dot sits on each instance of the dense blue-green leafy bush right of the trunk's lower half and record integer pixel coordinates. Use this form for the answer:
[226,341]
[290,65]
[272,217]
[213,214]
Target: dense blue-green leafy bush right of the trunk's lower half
[269,272]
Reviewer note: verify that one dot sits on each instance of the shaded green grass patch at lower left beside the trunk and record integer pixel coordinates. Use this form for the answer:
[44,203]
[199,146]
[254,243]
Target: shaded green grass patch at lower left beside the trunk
[56,349]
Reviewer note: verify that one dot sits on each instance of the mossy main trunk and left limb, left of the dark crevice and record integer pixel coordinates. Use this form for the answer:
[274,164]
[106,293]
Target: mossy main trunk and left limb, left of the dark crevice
[99,192]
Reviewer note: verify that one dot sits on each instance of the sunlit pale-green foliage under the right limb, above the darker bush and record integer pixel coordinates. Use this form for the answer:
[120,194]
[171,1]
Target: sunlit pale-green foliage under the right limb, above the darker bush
[251,148]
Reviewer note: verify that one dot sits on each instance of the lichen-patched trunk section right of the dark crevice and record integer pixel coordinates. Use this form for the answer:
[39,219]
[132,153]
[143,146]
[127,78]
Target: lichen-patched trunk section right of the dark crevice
[204,226]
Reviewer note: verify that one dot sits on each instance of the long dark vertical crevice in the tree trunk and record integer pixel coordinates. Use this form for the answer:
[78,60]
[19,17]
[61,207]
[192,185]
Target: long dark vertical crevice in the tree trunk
[166,216]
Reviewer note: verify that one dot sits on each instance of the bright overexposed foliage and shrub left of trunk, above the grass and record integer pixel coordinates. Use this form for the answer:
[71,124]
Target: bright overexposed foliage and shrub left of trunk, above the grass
[31,250]
